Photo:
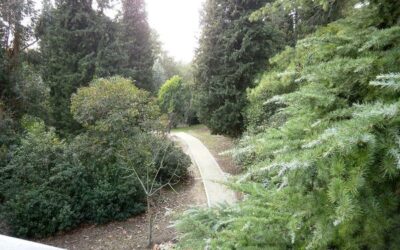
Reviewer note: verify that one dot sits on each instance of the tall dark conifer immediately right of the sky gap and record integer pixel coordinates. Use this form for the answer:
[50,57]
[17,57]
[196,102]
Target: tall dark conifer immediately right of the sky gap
[232,51]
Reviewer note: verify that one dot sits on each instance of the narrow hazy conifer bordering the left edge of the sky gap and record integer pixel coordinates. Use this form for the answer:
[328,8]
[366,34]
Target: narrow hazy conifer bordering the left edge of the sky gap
[135,41]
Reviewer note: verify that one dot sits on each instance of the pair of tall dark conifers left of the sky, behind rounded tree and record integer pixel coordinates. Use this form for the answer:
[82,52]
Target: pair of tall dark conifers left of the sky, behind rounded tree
[78,43]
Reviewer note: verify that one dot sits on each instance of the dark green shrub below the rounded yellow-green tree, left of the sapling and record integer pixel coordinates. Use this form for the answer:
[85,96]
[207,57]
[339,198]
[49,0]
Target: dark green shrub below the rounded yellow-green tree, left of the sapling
[110,190]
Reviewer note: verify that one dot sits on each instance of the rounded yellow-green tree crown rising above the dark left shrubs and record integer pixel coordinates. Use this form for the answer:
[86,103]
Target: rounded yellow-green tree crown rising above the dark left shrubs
[114,104]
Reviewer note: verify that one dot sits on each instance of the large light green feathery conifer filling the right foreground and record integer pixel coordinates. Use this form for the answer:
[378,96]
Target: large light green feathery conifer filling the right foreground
[322,154]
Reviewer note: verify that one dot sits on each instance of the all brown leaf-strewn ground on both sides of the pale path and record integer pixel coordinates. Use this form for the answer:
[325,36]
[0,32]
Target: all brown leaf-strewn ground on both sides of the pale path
[132,233]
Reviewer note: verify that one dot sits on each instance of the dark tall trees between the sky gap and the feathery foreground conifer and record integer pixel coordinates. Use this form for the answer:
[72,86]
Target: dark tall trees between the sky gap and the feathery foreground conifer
[238,38]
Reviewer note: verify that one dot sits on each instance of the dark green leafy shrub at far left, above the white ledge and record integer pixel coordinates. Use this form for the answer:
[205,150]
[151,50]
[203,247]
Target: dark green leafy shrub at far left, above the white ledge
[34,205]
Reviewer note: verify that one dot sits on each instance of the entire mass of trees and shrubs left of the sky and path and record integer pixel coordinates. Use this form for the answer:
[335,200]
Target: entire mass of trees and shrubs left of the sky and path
[65,161]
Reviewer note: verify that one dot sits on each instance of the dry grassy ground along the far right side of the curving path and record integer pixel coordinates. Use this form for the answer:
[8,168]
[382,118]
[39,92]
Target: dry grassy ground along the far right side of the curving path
[217,145]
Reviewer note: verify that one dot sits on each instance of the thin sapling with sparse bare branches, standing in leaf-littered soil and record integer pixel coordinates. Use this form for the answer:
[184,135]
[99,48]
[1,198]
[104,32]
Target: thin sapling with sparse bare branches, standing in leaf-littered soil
[164,167]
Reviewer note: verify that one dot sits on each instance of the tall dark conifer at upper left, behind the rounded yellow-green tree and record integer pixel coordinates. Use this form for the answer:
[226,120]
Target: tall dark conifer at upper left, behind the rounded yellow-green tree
[68,42]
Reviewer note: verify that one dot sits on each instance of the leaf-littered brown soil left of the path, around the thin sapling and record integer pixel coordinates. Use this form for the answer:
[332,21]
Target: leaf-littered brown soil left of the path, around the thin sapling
[132,233]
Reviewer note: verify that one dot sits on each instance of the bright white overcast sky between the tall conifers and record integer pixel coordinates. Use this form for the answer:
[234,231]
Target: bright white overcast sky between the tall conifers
[177,22]
